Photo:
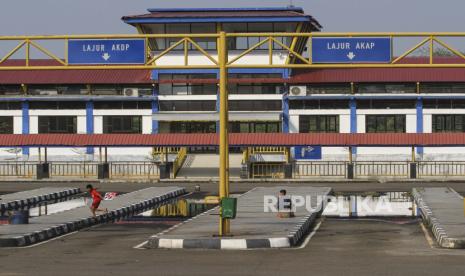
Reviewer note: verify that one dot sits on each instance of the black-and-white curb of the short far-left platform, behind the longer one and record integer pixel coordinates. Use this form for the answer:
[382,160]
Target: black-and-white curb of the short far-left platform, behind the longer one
[33,201]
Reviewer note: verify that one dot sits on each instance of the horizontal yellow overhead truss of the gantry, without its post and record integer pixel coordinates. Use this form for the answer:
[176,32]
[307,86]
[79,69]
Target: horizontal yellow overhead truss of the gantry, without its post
[189,43]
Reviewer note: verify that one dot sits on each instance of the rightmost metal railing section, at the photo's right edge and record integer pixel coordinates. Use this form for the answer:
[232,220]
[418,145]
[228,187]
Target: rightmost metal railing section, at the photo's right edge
[441,168]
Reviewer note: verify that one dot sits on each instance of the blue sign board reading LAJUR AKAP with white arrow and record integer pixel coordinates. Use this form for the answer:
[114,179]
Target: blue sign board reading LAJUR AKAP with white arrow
[351,50]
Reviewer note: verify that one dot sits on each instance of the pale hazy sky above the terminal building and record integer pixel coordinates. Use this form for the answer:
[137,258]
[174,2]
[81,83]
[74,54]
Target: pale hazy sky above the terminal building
[34,17]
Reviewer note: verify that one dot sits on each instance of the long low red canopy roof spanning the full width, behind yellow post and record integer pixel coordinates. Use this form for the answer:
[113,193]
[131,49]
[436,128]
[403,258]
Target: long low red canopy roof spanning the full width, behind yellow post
[235,139]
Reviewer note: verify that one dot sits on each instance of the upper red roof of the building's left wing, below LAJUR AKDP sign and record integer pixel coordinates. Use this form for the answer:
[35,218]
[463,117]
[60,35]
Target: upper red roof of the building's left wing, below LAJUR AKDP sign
[121,76]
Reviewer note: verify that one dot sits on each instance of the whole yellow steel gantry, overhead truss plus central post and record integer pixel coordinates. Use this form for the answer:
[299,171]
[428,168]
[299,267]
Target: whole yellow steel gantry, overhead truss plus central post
[218,59]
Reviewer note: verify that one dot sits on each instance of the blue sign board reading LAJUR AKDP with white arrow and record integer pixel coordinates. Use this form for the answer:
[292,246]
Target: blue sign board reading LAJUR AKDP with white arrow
[106,51]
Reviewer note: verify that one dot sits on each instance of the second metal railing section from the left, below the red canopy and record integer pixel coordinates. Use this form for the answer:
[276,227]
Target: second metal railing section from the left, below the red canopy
[73,169]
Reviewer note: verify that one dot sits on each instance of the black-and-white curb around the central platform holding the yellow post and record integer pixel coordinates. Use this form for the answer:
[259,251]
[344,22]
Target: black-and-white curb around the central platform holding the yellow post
[292,239]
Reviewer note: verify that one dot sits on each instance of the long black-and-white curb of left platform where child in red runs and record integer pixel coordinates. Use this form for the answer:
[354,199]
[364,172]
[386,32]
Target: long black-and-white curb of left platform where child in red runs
[72,226]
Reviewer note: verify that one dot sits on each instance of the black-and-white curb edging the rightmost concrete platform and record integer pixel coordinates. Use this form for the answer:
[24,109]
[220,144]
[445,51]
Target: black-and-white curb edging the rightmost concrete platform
[433,223]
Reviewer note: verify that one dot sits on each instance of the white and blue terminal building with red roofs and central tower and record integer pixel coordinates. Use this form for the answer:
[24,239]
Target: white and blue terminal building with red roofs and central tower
[271,100]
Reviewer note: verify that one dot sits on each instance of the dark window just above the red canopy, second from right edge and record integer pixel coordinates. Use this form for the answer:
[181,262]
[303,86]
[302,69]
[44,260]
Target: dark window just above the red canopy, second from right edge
[385,123]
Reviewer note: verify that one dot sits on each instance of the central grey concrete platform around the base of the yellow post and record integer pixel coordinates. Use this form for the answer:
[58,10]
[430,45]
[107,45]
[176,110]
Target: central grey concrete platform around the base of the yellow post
[252,228]
